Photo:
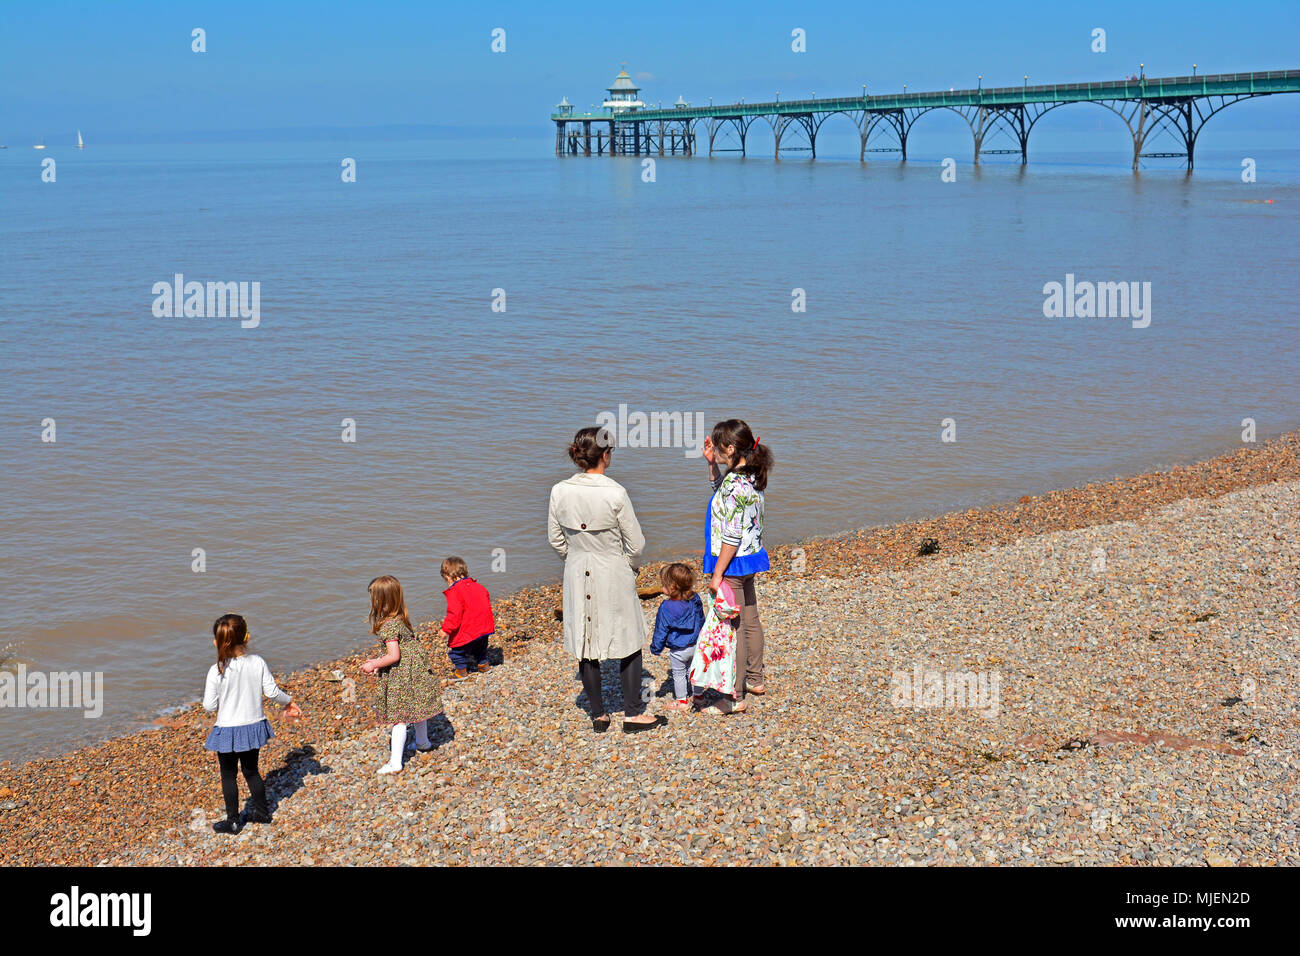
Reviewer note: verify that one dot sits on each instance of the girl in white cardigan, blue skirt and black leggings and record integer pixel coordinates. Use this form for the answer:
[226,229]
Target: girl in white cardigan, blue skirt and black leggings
[236,686]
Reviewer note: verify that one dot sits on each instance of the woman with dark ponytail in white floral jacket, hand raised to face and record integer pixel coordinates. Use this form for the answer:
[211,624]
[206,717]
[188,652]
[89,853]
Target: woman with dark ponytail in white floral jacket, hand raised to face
[734,543]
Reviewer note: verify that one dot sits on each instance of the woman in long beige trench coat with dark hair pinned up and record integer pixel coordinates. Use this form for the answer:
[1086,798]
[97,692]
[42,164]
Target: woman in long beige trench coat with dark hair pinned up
[593,527]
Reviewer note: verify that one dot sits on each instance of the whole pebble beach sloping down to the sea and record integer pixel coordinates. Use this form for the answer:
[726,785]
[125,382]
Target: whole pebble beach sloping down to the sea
[1115,672]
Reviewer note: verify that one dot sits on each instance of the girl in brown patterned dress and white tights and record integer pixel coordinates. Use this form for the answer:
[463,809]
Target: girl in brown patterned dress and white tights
[409,691]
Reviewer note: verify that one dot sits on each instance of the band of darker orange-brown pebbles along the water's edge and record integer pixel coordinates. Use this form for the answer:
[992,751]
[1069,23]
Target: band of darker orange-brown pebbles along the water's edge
[96,803]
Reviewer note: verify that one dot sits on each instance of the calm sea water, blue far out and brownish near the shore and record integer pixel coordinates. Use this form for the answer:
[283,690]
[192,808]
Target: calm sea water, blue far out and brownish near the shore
[925,301]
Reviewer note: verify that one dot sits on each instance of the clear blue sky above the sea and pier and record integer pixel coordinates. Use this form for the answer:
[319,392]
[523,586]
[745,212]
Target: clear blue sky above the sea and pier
[119,68]
